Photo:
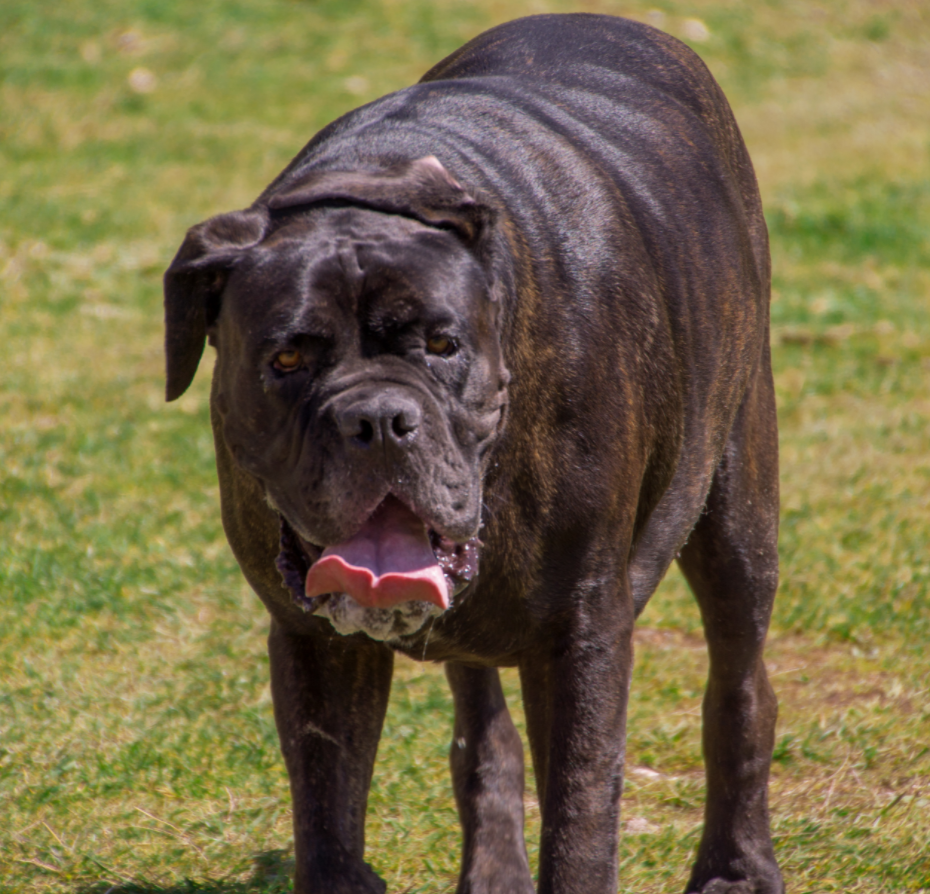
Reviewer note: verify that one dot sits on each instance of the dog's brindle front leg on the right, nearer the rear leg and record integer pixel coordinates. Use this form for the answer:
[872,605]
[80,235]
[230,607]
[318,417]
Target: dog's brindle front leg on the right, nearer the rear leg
[575,698]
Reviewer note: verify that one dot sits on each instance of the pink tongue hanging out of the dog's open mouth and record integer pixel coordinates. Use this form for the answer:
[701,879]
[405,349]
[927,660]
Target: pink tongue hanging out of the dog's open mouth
[387,562]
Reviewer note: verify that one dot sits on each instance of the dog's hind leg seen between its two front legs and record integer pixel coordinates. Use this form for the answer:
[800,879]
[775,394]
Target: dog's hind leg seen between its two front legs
[487,775]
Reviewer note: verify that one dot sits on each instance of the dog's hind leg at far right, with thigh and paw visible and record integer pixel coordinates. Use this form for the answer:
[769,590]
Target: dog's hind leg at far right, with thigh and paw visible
[731,563]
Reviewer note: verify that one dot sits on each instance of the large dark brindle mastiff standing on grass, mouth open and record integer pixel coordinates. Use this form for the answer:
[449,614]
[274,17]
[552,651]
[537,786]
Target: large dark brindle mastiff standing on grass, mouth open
[491,353]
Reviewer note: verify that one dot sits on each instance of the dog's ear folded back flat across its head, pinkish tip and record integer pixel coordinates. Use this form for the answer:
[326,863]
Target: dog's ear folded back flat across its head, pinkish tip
[422,189]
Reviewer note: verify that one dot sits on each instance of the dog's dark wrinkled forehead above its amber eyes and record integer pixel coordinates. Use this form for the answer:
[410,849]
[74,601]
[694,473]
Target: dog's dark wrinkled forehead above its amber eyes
[356,262]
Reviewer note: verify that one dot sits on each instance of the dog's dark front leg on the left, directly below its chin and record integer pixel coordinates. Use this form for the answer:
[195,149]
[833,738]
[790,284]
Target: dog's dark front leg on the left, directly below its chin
[330,696]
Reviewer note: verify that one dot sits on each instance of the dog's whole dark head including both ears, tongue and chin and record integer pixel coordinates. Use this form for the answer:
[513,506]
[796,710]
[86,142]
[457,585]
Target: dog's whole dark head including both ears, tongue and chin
[359,378]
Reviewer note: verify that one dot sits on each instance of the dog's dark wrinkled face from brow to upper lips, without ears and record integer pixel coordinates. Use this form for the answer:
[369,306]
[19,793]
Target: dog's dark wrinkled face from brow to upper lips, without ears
[357,358]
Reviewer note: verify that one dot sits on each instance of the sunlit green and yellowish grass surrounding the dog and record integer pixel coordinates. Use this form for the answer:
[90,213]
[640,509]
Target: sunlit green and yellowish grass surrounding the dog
[137,747]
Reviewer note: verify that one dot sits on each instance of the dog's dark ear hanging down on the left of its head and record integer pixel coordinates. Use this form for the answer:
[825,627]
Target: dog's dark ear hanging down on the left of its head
[194,283]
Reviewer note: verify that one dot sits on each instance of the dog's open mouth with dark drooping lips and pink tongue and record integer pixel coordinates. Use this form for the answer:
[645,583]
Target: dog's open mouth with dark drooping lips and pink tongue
[393,559]
